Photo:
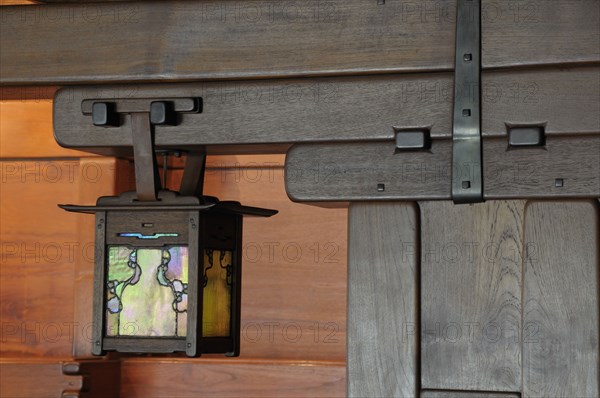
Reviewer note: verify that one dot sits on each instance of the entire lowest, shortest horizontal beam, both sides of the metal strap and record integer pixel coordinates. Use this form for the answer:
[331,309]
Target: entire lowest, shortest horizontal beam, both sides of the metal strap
[355,171]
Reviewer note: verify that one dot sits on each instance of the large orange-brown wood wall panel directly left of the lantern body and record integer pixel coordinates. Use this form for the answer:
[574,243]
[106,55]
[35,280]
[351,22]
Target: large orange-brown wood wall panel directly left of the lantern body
[46,250]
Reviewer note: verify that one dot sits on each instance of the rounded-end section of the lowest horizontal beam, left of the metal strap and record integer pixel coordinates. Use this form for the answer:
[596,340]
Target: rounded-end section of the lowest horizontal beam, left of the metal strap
[367,171]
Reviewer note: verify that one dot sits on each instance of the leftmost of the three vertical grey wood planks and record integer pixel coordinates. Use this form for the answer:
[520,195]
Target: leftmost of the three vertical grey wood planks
[382,300]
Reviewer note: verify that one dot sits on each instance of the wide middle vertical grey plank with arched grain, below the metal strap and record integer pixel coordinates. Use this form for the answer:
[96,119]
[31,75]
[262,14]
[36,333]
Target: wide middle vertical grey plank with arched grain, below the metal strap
[471,296]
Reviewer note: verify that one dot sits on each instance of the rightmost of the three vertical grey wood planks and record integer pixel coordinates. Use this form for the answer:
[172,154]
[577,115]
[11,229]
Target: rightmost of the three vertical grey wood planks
[560,318]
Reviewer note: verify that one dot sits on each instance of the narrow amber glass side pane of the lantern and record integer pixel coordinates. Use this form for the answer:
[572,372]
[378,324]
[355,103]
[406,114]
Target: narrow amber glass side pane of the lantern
[218,282]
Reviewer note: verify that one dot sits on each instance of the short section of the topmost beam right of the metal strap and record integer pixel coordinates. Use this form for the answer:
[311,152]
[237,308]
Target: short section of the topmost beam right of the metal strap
[539,32]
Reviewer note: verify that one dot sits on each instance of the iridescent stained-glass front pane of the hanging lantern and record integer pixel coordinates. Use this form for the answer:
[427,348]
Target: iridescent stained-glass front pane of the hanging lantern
[146,291]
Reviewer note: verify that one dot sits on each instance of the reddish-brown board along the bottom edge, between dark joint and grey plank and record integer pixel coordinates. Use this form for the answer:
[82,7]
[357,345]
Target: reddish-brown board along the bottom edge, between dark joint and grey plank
[231,378]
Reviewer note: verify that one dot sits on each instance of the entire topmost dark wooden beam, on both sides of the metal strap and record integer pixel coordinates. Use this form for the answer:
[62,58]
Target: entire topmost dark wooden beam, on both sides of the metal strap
[196,40]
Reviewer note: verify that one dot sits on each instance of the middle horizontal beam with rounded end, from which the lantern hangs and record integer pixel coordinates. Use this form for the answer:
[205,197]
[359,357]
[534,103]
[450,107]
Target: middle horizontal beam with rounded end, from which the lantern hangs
[271,113]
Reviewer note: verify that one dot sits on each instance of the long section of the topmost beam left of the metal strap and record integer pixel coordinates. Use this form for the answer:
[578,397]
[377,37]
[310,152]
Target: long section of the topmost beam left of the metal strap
[191,40]
